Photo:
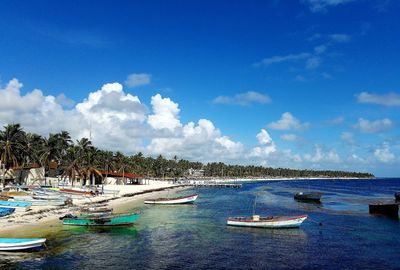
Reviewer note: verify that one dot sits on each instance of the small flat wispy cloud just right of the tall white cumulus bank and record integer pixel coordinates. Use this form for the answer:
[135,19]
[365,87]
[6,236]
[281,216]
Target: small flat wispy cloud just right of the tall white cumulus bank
[243,99]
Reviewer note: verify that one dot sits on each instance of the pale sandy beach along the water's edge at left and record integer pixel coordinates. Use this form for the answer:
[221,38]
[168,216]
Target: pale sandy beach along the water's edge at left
[41,219]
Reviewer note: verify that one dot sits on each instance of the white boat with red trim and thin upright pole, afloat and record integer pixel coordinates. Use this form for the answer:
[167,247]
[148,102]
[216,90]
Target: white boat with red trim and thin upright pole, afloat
[273,222]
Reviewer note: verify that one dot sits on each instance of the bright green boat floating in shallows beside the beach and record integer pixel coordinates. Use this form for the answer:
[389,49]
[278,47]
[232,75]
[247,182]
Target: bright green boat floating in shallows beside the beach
[108,220]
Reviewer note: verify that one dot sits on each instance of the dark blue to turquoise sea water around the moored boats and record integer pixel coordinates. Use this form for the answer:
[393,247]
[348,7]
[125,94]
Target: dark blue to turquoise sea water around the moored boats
[339,234]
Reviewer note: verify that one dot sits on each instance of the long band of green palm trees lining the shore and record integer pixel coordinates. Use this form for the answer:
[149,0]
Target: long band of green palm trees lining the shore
[60,155]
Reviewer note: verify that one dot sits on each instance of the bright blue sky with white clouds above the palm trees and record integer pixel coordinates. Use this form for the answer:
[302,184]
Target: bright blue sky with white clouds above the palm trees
[301,84]
